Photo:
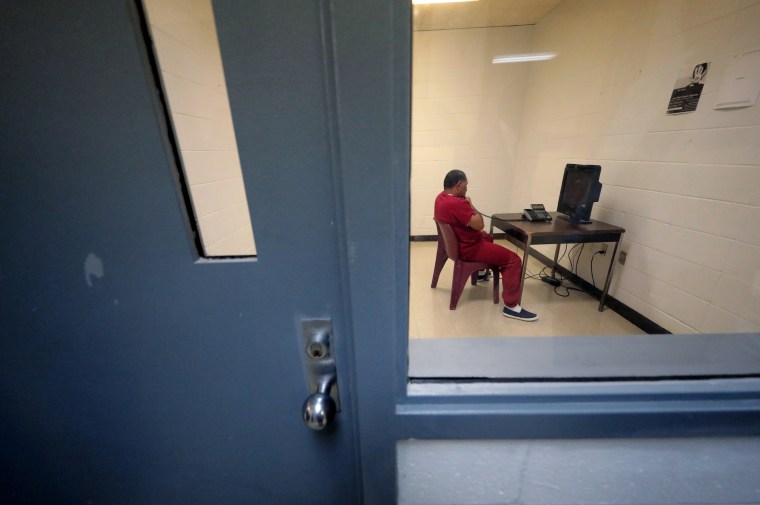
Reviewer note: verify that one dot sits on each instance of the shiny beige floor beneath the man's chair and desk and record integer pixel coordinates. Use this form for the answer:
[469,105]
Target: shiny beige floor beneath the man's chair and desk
[477,316]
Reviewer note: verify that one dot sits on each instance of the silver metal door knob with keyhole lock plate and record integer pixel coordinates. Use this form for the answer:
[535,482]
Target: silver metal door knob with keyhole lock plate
[320,407]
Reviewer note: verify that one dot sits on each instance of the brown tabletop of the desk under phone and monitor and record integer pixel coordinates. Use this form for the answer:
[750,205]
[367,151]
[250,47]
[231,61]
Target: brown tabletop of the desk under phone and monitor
[560,228]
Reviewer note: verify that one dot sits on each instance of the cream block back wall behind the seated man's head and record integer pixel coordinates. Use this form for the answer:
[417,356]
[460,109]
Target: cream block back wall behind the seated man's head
[466,114]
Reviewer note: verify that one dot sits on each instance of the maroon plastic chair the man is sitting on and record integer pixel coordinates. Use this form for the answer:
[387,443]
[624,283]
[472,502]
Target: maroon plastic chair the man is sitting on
[448,248]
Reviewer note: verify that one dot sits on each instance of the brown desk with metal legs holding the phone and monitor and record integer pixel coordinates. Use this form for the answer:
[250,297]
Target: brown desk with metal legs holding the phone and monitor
[560,230]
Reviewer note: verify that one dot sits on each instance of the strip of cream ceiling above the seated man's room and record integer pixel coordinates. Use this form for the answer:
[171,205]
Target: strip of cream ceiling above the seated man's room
[480,14]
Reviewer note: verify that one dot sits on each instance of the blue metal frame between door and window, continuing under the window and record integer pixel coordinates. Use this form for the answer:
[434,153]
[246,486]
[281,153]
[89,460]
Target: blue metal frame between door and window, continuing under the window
[374,81]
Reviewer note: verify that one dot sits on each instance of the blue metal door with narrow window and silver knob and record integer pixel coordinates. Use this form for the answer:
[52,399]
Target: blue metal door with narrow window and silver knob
[131,372]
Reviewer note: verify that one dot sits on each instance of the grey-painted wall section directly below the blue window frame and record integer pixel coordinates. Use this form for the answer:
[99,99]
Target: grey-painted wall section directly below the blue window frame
[696,471]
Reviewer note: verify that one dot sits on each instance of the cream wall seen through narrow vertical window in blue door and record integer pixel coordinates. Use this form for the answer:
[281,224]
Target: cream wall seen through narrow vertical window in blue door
[193,78]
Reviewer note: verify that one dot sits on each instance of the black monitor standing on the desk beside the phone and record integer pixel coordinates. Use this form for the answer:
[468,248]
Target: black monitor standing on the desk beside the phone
[580,189]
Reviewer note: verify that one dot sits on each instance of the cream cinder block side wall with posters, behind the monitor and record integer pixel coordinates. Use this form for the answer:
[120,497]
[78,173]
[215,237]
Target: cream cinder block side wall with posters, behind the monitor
[686,188]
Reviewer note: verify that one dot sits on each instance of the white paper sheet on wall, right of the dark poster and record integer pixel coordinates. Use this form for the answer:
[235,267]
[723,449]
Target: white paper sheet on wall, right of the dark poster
[741,83]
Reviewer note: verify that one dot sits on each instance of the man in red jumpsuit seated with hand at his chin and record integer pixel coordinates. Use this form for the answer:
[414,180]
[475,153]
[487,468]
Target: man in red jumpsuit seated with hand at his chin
[454,207]
